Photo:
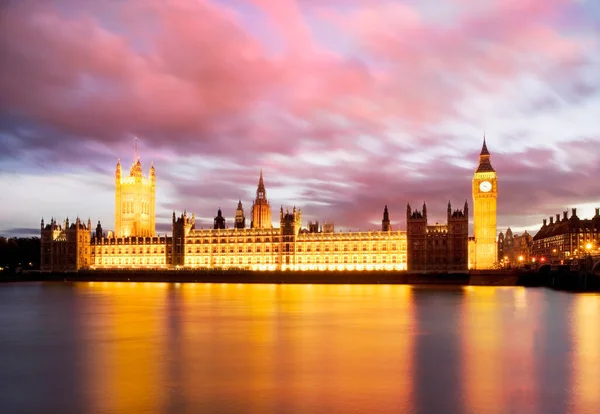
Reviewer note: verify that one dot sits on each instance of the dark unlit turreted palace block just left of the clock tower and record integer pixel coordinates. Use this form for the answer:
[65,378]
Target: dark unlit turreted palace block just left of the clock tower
[437,248]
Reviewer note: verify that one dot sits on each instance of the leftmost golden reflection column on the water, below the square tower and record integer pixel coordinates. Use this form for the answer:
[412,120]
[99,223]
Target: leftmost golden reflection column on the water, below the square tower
[125,347]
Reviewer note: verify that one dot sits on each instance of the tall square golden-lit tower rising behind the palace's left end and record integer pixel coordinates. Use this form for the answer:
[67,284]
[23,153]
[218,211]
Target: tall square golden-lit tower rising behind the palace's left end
[135,202]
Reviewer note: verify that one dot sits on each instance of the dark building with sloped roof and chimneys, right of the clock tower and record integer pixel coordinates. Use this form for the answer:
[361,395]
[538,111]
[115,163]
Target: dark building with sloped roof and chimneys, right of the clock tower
[567,238]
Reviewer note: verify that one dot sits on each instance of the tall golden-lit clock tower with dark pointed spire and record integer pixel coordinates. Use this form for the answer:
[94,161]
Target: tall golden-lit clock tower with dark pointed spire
[485,194]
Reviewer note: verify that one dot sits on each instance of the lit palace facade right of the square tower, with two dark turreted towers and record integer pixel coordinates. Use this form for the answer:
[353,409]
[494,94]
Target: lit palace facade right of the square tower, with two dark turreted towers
[287,248]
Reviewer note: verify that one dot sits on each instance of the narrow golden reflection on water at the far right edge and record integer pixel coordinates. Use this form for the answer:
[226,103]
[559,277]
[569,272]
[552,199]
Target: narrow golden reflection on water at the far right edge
[585,323]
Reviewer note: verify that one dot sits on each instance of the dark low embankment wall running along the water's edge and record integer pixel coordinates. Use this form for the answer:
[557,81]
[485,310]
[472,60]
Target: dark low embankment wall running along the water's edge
[558,280]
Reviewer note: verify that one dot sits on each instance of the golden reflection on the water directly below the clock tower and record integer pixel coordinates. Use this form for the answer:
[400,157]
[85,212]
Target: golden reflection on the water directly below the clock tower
[499,359]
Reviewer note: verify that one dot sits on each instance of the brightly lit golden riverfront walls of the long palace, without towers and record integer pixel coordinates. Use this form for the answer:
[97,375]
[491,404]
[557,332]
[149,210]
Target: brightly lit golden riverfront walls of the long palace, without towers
[259,249]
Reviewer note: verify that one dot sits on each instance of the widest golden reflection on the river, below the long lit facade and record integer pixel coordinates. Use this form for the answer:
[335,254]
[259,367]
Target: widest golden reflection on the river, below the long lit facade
[269,347]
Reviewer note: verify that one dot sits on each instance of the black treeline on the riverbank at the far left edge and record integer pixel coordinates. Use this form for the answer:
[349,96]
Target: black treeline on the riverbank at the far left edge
[19,252]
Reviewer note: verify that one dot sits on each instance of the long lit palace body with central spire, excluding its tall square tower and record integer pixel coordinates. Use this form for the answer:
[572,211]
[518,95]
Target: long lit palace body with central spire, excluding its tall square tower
[261,247]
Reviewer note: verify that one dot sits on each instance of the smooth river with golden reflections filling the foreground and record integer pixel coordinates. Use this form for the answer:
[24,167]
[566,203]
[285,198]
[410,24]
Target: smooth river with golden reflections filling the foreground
[232,348]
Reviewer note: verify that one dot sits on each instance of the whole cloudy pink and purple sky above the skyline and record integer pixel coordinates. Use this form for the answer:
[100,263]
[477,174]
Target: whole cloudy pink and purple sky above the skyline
[346,105]
